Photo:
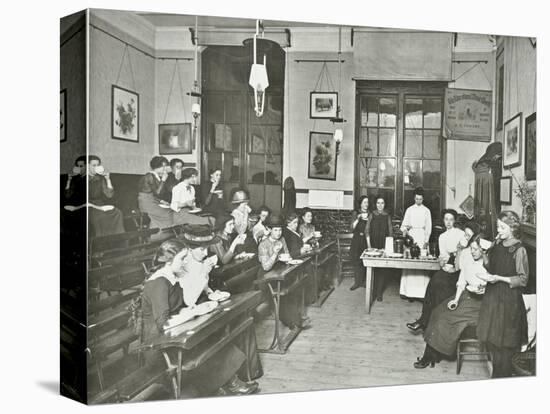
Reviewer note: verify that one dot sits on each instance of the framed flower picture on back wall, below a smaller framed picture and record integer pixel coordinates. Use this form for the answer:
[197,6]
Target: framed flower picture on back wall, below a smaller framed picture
[322,156]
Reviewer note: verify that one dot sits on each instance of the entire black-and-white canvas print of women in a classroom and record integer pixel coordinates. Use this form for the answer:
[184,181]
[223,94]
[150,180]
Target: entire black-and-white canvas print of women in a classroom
[252,237]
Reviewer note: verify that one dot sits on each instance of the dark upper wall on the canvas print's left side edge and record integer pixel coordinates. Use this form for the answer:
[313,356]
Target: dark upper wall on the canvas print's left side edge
[73,79]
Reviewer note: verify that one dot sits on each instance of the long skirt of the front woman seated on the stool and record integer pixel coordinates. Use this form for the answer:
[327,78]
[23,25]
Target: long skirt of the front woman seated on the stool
[446,326]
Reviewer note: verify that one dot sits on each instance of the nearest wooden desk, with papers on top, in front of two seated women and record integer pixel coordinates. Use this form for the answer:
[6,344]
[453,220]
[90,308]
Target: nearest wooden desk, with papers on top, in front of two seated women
[230,319]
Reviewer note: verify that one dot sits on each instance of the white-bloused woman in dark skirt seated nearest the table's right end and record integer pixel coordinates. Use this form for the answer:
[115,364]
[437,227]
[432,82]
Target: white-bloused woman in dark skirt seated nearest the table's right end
[443,282]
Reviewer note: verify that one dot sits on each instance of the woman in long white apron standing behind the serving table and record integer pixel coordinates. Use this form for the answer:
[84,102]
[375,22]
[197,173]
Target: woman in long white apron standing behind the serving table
[418,224]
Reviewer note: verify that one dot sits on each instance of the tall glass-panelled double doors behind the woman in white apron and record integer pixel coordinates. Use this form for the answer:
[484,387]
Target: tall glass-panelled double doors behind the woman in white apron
[399,145]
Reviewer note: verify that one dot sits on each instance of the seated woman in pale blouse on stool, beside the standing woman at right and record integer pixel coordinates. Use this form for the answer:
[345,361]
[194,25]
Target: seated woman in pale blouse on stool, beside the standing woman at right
[449,319]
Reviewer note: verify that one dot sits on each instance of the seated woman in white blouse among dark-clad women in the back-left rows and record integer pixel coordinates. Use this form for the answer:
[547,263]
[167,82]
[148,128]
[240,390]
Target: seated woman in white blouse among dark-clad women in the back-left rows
[183,199]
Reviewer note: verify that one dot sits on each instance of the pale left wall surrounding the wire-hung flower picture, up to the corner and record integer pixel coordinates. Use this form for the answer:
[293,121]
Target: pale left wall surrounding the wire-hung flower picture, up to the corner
[105,62]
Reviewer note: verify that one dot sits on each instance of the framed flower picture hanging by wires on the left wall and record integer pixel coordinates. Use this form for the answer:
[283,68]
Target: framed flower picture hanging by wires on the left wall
[124,114]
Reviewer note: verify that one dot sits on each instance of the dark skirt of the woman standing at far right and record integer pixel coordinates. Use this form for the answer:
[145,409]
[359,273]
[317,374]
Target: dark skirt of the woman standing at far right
[502,317]
